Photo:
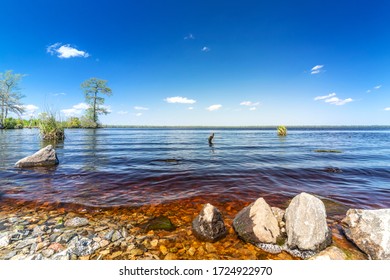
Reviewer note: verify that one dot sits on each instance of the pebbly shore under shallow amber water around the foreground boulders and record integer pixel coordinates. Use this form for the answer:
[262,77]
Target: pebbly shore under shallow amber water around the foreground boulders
[45,232]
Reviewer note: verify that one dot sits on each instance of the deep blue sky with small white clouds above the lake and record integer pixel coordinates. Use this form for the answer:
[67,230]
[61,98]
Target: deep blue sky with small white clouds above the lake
[204,62]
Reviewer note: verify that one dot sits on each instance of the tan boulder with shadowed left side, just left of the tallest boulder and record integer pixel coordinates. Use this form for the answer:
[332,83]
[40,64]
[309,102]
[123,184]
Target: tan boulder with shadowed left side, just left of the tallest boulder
[257,224]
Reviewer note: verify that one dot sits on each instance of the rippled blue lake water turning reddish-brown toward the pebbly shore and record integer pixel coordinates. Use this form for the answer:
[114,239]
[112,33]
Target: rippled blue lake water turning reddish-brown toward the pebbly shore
[136,167]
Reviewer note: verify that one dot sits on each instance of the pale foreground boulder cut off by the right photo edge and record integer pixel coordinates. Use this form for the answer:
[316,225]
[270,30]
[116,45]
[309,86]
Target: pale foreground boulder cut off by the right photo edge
[370,231]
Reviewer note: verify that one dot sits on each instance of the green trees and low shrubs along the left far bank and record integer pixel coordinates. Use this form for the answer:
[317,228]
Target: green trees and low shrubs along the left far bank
[10,102]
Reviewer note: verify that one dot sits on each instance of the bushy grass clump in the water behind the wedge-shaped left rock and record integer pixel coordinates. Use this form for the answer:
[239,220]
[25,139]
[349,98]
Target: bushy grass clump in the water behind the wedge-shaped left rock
[50,128]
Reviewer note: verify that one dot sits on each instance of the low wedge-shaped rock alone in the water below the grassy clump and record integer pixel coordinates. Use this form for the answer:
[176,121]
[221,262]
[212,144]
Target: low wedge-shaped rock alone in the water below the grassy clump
[44,157]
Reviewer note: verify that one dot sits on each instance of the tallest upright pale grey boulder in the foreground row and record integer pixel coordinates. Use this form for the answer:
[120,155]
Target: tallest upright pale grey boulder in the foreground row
[306,225]
